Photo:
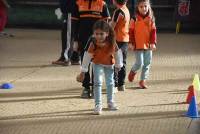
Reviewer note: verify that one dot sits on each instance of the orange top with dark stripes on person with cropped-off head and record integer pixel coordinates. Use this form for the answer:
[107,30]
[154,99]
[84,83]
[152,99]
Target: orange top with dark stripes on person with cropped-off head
[93,9]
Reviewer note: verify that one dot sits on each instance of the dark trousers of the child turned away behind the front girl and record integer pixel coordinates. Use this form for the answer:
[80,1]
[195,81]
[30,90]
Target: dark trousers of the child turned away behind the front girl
[121,75]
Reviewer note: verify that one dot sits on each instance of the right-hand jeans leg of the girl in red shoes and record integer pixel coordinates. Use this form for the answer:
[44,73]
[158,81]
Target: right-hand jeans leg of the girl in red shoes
[147,58]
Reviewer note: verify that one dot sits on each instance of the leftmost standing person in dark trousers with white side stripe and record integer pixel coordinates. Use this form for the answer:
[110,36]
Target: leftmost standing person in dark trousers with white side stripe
[67,34]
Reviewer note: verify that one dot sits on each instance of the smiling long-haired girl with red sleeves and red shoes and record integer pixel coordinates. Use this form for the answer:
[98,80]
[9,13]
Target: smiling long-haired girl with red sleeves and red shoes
[143,38]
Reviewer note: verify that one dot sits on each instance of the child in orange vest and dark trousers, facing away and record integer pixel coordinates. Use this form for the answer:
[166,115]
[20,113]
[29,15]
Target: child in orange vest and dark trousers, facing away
[120,23]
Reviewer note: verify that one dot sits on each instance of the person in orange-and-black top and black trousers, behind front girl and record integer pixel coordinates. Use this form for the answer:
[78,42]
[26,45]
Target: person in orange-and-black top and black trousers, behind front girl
[89,11]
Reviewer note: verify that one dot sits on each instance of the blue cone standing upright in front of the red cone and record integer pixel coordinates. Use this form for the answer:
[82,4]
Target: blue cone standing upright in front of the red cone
[193,109]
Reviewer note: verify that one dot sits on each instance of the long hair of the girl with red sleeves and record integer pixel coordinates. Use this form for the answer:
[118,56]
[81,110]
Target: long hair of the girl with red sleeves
[150,12]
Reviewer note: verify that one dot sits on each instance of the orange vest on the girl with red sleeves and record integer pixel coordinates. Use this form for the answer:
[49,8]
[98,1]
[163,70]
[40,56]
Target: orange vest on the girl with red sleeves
[142,31]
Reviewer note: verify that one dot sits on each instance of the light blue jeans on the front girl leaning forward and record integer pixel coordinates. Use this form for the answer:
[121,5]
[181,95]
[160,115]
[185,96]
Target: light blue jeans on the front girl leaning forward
[99,71]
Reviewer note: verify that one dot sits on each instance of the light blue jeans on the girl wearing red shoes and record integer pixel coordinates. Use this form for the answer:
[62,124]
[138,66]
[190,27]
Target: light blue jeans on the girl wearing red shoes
[143,60]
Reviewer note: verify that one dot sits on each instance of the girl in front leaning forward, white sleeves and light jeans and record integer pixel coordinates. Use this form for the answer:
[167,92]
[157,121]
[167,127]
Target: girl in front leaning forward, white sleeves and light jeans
[104,54]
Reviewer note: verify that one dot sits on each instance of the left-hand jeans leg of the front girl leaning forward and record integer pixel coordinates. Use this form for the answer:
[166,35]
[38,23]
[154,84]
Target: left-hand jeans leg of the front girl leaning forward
[98,80]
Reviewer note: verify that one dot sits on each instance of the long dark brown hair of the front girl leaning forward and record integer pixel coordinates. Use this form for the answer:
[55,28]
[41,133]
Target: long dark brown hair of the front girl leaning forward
[104,26]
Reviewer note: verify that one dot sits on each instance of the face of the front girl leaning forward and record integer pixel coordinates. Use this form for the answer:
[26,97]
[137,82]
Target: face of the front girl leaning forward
[100,35]
